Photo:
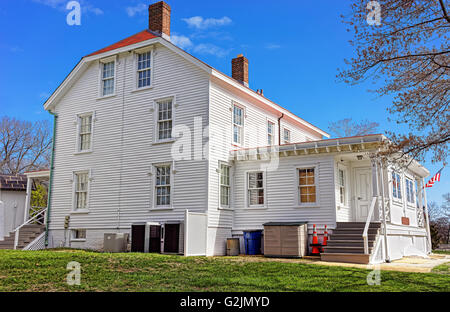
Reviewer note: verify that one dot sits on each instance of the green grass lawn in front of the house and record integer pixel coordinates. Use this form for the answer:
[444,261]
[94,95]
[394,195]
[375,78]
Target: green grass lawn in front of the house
[46,271]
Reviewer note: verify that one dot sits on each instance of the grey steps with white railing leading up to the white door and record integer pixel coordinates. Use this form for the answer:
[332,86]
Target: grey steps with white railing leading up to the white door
[346,244]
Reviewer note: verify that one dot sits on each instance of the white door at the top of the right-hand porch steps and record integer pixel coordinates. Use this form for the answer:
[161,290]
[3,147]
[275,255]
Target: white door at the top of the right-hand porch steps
[363,193]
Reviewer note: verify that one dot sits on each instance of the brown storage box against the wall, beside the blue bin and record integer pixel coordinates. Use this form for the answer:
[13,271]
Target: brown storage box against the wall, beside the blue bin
[286,239]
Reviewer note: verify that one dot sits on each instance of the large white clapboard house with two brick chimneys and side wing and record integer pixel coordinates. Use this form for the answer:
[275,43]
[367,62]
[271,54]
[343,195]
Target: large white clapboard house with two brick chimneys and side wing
[145,132]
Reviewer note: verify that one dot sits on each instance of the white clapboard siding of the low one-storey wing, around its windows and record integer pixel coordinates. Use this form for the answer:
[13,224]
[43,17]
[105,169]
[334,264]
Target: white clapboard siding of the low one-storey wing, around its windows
[281,194]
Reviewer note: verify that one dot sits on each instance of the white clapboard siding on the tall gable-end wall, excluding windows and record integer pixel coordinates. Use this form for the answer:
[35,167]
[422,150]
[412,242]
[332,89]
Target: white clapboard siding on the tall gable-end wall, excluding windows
[120,190]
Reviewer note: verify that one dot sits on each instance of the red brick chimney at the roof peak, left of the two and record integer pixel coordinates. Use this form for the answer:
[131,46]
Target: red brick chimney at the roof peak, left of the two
[159,19]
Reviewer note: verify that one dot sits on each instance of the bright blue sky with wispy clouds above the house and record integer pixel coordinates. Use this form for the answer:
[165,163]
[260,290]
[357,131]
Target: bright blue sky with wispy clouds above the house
[294,49]
